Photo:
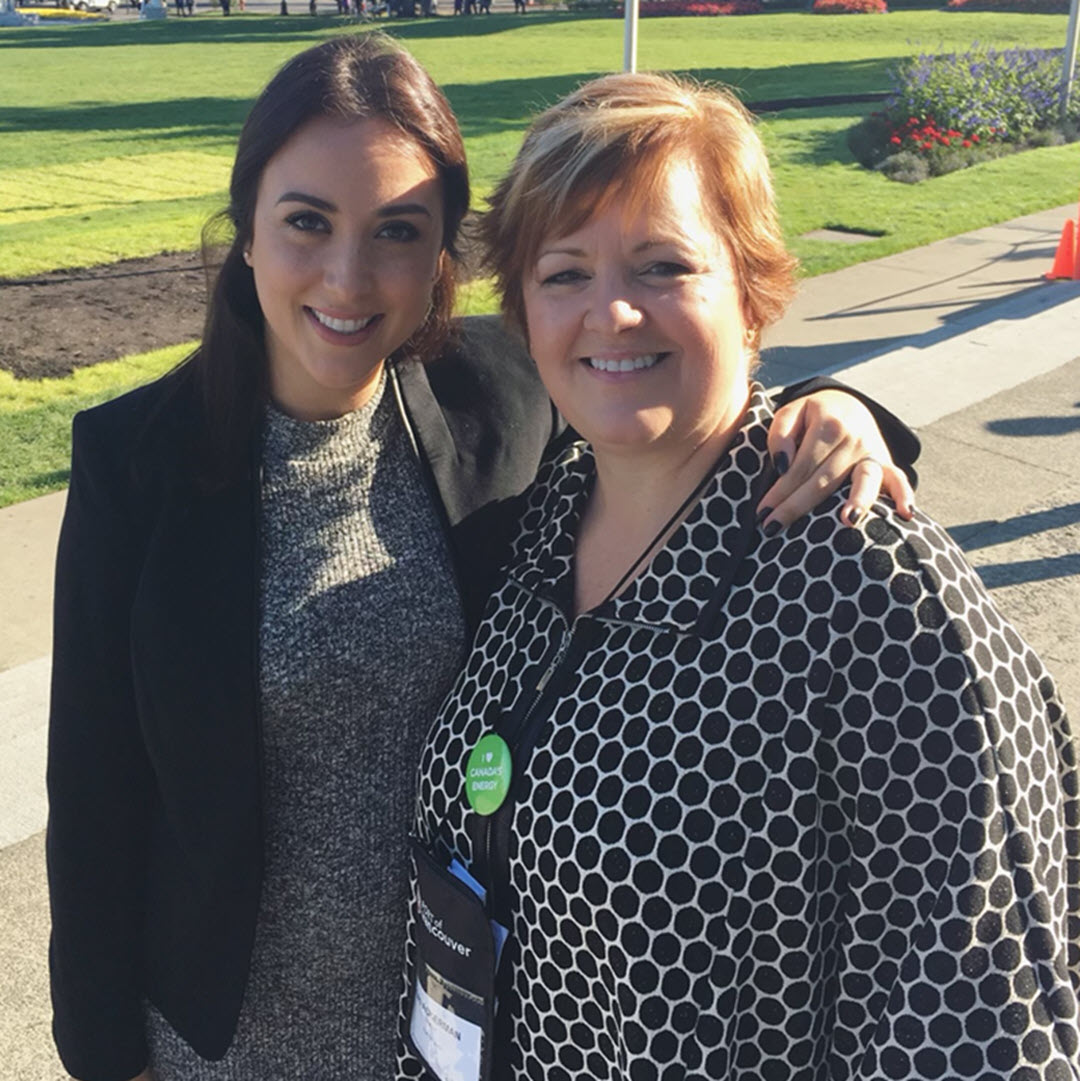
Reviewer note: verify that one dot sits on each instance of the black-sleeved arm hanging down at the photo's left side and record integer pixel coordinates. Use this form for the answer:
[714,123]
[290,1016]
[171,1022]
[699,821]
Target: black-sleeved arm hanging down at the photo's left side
[98,779]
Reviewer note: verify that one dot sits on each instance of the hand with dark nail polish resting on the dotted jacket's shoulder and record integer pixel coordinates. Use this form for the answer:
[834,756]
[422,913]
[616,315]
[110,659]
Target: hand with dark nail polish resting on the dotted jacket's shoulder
[818,443]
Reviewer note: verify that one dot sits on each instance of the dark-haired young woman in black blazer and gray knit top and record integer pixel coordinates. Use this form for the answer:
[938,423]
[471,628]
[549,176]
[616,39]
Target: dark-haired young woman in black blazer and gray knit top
[270,569]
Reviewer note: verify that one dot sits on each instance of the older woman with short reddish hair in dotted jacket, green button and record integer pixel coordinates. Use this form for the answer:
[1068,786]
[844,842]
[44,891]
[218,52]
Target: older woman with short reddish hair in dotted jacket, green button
[706,802]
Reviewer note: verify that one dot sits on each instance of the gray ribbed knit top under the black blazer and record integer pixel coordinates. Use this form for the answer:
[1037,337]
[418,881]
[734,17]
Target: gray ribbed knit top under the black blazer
[362,634]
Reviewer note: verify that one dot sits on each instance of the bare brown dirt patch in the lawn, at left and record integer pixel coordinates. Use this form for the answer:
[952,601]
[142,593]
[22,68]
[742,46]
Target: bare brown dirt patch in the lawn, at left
[57,323]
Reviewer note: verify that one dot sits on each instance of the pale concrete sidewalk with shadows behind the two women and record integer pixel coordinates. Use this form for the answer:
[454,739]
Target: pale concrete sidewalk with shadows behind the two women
[963,339]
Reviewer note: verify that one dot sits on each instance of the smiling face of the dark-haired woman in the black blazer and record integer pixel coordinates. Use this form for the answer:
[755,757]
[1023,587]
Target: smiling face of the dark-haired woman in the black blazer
[346,246]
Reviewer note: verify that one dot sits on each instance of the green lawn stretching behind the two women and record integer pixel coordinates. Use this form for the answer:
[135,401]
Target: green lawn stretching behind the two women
[137,163]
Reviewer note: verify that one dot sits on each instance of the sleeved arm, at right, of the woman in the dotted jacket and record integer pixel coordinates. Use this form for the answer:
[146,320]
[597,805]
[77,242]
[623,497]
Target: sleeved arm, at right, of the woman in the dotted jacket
[957,782]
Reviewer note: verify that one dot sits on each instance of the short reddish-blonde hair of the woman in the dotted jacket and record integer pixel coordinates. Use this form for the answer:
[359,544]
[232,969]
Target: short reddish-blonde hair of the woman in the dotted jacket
[616,137]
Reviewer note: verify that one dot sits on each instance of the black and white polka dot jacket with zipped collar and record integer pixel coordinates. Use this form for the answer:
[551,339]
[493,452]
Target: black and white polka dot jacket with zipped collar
[826,828]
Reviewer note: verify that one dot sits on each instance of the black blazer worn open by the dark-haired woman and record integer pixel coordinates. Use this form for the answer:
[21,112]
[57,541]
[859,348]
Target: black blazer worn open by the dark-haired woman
[155,848]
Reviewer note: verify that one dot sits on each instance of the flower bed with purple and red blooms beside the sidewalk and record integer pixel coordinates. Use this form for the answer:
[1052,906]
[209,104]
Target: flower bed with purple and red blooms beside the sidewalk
[949,113]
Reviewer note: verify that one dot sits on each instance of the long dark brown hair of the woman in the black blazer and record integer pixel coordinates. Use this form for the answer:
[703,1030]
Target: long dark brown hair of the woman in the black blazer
[350,78]
